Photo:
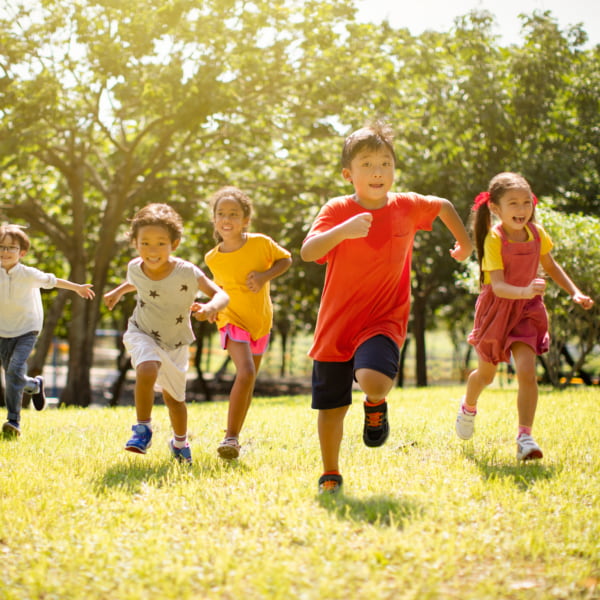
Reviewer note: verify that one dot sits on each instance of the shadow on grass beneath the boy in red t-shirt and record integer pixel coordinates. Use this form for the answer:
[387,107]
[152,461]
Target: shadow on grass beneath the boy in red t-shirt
[381,511]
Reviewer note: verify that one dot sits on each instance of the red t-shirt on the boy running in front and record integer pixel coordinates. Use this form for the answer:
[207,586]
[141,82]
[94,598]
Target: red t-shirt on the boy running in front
[367,282]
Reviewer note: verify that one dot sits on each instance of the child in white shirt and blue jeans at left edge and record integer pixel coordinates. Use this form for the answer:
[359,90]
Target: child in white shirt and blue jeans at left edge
[21,319]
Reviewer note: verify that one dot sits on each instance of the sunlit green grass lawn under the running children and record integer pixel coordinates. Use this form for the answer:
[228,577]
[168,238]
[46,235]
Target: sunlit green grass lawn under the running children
[426,516]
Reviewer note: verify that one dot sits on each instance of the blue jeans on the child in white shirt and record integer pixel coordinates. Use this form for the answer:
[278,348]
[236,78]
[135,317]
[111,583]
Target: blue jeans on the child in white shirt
[14,353]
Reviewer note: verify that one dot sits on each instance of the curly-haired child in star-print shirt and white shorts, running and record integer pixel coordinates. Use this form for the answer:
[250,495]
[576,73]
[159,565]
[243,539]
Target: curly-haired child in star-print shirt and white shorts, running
[159,332]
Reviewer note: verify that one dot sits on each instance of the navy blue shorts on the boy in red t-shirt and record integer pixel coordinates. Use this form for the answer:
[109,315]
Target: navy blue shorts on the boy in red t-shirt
[332,381]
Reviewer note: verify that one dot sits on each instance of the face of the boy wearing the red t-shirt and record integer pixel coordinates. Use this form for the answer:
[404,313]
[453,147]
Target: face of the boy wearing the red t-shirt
[371,172]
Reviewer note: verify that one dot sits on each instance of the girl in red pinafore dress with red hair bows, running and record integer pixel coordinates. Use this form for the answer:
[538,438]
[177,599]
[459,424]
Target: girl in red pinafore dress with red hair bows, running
[510,316]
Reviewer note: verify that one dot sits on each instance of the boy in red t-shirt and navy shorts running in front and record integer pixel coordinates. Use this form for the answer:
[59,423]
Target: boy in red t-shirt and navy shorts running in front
[366,239]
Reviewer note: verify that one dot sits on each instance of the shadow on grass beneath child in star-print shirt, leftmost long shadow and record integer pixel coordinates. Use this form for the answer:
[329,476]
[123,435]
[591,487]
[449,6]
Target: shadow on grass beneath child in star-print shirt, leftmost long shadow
[133,476]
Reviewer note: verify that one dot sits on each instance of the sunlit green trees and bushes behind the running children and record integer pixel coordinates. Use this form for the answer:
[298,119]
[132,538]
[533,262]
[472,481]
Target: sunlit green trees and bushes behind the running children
[106,107]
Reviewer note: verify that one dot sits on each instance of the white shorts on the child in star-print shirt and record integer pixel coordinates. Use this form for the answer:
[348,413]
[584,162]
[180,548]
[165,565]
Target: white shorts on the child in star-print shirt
[172,374]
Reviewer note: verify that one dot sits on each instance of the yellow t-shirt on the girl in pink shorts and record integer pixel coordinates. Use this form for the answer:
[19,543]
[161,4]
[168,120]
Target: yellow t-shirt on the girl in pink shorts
[249,310]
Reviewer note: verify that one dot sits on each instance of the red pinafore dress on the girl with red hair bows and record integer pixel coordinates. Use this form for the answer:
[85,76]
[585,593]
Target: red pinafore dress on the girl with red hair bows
[500,322]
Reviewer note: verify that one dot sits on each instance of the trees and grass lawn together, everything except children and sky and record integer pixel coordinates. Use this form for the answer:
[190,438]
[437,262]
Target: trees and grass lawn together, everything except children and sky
[105,106]
